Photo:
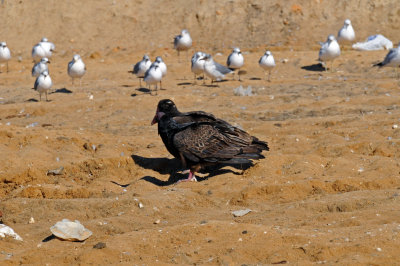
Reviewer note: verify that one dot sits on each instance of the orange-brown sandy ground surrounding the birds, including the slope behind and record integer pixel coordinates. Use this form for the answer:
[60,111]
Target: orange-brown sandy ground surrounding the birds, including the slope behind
[328,191]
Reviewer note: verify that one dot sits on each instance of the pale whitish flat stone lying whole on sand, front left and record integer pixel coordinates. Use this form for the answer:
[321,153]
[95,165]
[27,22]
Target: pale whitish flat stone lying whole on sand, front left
[72,231]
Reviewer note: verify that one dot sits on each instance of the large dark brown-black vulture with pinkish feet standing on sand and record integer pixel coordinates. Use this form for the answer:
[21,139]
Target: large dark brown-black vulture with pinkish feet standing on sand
[199,139]
